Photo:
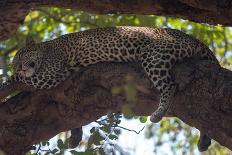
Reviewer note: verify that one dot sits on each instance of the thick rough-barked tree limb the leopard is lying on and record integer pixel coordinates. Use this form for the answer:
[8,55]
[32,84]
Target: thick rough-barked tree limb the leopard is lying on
[203,101]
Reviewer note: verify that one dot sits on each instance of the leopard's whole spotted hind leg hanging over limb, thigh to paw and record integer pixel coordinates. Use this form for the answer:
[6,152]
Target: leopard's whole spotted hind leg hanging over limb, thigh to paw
[157,65]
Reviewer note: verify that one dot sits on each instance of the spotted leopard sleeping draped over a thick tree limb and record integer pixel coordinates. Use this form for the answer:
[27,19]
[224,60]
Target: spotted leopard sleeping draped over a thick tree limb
[45,65]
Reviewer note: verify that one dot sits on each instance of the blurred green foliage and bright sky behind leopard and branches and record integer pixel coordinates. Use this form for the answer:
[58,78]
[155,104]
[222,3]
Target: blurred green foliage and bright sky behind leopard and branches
[116,134]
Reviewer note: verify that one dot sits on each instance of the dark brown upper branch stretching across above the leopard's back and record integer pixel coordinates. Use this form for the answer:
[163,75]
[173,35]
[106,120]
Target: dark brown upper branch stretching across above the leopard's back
[13,12]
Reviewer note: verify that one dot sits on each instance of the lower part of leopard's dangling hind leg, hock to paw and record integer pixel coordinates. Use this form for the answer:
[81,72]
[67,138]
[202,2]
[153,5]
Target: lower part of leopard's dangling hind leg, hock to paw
[166,97]
